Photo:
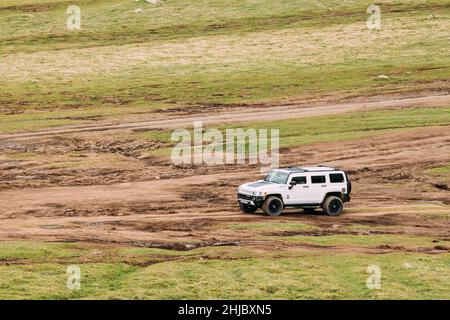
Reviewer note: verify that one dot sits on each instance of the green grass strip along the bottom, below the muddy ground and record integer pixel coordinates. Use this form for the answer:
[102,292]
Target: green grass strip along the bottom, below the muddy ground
[249,275]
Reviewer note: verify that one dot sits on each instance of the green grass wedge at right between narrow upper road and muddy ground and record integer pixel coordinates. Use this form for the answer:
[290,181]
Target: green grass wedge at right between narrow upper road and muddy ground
[303,131]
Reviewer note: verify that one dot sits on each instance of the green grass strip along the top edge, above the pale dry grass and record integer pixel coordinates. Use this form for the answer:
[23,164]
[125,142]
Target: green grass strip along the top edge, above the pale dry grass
[36,25]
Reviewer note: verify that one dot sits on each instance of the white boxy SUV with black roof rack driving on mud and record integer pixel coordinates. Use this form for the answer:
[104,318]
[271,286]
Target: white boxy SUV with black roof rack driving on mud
[307,188]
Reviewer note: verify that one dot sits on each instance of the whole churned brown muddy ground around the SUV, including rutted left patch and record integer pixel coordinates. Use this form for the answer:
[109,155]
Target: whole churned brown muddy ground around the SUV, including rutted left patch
[148,202]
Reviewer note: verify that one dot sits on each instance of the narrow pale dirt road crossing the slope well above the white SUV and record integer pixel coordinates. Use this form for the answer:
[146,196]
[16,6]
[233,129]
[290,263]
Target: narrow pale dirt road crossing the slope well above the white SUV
[255,114]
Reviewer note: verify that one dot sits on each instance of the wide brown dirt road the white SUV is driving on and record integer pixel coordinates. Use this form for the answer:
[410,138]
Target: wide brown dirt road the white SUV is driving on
[194,209]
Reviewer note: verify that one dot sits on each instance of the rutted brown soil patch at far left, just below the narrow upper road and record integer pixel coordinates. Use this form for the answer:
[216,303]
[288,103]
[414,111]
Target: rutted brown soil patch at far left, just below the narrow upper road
[47,158]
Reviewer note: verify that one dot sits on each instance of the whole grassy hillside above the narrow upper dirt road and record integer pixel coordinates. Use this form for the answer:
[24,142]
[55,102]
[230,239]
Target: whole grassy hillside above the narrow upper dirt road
[206,53]
